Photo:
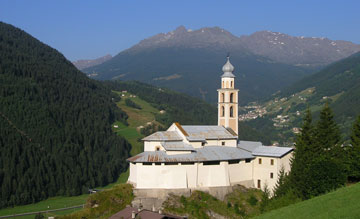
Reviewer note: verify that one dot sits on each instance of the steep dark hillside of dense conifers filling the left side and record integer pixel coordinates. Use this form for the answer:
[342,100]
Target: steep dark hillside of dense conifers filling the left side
[55,124]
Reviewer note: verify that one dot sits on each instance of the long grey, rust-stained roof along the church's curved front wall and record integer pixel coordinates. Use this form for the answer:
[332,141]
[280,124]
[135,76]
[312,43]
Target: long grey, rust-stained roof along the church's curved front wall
[208,153]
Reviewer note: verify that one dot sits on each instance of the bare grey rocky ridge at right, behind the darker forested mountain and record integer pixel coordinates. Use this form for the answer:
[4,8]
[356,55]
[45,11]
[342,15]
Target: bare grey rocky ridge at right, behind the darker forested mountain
[300,51]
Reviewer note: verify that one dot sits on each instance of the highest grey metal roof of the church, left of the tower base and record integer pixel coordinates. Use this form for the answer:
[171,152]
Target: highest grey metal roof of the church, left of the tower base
[207,132]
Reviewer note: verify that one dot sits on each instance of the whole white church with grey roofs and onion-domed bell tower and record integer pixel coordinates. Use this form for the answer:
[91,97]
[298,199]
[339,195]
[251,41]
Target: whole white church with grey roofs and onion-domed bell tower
[207,156]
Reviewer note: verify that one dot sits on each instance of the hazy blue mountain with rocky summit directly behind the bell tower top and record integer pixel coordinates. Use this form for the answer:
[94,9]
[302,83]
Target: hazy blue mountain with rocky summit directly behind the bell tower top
[191,61]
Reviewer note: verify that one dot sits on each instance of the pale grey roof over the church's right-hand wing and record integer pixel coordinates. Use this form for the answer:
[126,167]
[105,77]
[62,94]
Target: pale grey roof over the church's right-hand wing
[258,149]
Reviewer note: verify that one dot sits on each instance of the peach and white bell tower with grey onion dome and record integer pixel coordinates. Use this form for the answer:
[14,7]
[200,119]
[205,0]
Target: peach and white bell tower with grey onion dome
[228,99]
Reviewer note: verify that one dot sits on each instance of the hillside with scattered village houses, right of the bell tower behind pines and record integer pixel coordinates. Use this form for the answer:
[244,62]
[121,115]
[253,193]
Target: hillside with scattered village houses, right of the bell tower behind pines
[281,115]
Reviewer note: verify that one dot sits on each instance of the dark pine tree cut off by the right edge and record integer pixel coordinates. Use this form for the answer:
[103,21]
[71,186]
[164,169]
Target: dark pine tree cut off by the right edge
[354,152]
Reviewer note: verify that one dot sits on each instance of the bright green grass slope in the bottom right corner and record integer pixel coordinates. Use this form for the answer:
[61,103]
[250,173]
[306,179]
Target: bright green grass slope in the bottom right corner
[342,203]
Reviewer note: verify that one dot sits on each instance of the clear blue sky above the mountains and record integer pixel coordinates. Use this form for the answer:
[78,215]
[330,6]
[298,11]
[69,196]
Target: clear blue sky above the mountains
[87,29]
